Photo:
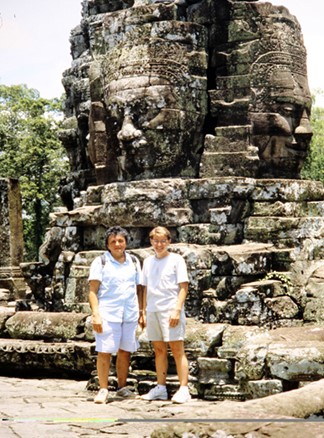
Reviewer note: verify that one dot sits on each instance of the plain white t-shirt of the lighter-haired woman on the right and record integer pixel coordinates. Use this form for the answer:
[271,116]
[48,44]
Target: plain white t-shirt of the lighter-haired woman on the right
[162,278]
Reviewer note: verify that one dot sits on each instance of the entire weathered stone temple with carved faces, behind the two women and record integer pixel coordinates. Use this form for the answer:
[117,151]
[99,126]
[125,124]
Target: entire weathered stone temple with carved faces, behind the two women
[192,114]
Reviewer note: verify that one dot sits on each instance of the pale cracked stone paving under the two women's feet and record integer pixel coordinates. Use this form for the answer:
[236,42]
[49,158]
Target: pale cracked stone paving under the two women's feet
[63,408]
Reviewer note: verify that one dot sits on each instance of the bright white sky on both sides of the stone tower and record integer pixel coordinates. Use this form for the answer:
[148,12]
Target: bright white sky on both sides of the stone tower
[35,48]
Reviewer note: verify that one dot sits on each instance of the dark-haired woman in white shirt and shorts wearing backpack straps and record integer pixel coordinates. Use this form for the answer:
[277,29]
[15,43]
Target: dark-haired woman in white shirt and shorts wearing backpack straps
[114,296]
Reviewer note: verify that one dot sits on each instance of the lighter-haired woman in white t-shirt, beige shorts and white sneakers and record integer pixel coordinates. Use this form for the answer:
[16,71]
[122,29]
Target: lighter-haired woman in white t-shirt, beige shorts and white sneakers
[165,281]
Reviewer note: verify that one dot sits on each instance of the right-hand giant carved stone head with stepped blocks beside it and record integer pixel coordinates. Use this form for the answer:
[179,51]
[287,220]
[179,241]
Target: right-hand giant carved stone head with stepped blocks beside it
[258,77]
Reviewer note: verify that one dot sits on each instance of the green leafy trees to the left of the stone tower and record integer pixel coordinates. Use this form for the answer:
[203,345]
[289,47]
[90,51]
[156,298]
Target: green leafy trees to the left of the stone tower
[31,152]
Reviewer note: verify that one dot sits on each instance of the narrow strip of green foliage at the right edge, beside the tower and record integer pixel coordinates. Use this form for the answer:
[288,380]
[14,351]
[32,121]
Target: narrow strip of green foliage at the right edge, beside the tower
[314,166]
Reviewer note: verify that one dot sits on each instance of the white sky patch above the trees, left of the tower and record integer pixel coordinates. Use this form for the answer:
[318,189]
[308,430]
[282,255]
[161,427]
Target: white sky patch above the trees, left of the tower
[34,42]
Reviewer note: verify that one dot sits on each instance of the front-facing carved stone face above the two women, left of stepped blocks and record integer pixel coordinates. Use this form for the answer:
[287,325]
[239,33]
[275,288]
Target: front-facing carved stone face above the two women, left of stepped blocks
[156,135]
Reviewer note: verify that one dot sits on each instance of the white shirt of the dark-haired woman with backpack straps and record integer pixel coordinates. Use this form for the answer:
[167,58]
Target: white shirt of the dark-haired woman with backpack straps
[117,293]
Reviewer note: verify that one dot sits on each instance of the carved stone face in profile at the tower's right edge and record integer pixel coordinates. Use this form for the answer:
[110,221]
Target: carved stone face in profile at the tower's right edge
[283,133]
